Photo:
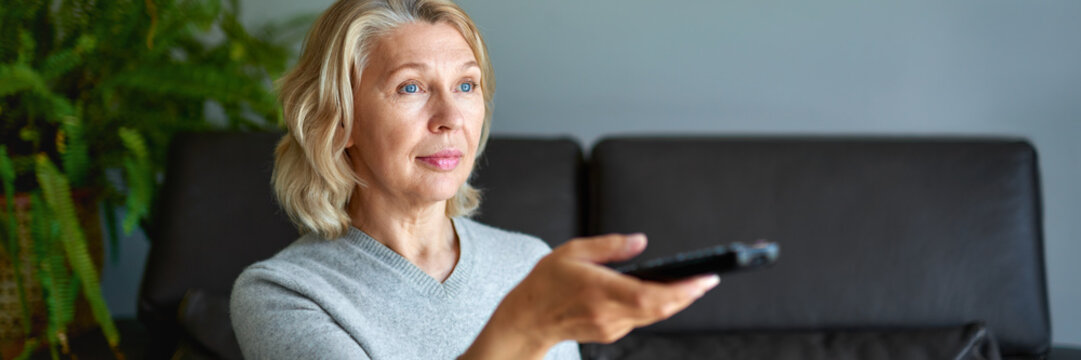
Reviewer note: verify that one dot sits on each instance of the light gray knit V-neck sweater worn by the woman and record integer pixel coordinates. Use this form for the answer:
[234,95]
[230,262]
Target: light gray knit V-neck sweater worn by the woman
[355,299]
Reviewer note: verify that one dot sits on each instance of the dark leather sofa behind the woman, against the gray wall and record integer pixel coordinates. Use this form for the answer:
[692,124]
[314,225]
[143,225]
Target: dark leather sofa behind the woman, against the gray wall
[892,248]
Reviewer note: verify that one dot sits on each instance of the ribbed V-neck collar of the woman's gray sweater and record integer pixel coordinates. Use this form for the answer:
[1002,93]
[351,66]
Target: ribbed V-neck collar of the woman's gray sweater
[415,275]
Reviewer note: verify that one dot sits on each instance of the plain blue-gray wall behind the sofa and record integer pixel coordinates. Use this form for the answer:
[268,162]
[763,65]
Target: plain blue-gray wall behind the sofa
[603,68]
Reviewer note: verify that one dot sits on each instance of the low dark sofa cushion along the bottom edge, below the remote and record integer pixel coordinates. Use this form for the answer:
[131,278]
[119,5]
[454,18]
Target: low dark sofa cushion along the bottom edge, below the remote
[972,342]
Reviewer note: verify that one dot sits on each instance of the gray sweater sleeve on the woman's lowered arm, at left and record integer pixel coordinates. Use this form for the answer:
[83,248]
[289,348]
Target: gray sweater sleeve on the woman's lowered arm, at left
[272,322]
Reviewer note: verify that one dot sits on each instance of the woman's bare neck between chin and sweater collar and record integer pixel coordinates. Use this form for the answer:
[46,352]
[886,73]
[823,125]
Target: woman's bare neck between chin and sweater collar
[420,233]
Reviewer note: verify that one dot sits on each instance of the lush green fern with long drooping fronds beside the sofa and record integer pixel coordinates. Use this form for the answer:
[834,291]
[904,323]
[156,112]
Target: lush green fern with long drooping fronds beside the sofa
[92,89]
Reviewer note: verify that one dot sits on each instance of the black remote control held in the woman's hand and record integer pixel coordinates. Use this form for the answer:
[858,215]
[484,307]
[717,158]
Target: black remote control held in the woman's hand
[716,260]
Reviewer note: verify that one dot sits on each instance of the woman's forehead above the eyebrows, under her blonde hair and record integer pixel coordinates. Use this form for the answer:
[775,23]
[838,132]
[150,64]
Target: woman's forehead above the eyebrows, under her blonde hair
[434,45]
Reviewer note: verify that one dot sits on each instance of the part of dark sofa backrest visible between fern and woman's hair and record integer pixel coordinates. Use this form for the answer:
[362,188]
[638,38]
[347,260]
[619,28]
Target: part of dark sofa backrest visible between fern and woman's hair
[217,215]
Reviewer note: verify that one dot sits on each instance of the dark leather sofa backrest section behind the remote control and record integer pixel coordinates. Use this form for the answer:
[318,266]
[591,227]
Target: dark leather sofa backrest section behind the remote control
[874,234]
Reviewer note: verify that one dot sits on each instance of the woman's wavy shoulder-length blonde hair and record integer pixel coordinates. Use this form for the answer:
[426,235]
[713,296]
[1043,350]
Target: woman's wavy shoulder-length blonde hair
[313,179]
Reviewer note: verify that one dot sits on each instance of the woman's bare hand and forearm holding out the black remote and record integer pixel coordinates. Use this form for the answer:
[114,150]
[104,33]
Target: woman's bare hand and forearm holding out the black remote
[570,296]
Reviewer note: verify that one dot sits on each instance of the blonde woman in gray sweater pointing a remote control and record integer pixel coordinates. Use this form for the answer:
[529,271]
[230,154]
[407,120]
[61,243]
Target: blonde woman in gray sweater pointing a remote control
[388,109]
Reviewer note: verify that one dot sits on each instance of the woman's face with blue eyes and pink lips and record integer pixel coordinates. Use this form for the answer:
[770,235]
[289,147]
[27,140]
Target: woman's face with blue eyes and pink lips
[419,114]
